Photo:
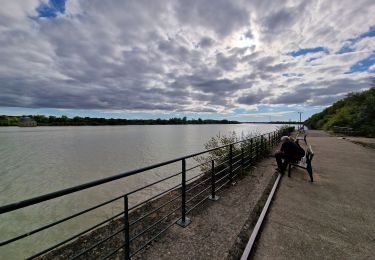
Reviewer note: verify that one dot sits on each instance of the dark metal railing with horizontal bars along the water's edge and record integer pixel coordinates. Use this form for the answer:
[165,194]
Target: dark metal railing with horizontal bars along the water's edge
[256,147]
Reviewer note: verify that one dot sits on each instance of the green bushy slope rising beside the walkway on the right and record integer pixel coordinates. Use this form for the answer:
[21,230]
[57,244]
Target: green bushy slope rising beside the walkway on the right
[356,110]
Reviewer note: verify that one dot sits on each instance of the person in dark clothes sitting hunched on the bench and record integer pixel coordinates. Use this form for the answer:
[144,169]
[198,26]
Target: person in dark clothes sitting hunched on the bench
[289,152]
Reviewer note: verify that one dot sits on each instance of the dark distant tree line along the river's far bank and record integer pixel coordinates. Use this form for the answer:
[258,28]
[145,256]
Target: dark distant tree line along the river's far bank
[80,121]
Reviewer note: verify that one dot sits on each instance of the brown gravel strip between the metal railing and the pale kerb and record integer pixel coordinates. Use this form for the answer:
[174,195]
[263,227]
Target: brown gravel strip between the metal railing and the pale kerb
[221,229]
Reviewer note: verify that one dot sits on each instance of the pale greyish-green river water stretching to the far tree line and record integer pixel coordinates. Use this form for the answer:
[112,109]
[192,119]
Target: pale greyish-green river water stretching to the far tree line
[36,161]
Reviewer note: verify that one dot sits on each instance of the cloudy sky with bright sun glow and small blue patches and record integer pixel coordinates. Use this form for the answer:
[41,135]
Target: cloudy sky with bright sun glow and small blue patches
[258,60]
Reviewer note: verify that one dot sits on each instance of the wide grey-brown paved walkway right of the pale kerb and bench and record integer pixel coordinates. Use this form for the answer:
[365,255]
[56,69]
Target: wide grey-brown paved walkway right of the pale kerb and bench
[332,218]
